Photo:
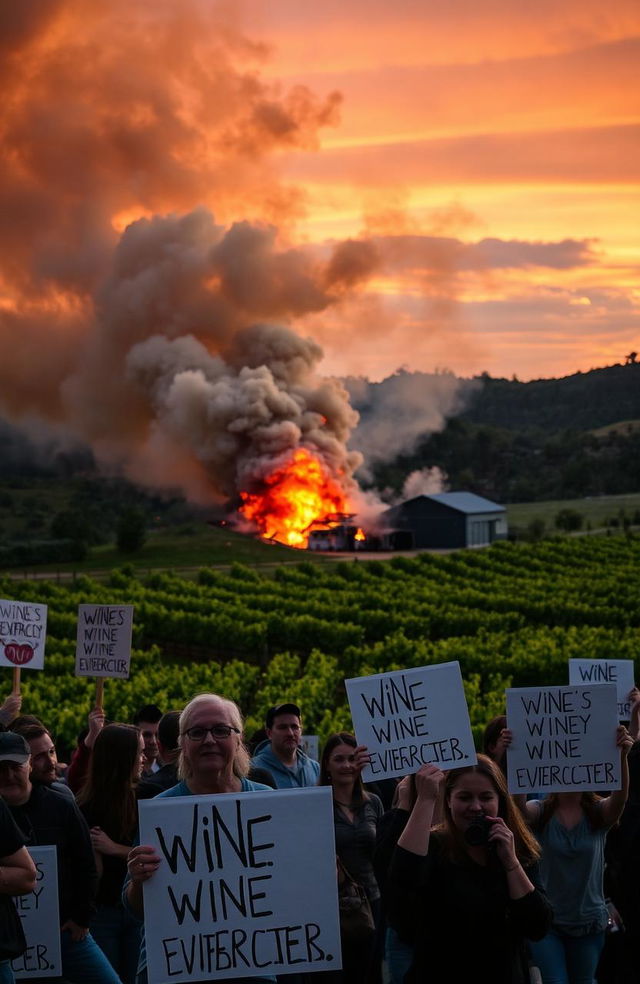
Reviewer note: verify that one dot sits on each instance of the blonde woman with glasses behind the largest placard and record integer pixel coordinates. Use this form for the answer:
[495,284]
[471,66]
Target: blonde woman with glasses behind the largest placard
[213,759]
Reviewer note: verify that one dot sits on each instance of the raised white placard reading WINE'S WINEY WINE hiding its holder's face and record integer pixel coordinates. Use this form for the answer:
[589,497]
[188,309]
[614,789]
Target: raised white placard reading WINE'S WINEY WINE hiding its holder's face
[563,738]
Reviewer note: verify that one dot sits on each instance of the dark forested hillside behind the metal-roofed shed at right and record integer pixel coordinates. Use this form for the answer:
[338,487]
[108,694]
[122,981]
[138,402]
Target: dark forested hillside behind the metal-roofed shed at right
[547,439]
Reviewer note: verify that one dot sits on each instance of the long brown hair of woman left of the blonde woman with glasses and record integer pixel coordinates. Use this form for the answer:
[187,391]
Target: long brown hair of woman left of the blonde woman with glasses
[109,792]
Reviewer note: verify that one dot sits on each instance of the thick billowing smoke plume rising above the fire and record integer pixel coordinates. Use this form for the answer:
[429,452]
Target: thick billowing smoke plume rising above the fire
[131,317]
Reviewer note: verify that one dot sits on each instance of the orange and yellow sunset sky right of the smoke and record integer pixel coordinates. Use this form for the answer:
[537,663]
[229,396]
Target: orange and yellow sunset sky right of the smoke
[509,130]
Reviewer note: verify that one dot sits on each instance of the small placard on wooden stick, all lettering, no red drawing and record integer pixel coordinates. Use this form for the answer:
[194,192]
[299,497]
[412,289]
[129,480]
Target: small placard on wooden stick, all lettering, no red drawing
[103,643]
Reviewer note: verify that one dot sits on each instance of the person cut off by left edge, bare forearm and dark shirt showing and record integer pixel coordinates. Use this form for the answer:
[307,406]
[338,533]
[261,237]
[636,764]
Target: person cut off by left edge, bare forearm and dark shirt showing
[17,875]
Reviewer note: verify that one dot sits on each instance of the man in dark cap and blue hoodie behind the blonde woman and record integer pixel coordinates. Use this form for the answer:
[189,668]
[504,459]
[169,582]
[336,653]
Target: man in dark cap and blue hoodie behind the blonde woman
[281,754]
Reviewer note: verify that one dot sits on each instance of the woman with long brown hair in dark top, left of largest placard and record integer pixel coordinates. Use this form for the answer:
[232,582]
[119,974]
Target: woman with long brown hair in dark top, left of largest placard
[108,803]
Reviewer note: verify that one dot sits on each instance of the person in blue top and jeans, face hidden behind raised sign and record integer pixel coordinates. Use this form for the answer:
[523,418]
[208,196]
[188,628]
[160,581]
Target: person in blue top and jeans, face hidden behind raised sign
[571,828]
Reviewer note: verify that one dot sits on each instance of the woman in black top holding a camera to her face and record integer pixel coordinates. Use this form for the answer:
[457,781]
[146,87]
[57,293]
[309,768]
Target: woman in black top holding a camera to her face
[469,886]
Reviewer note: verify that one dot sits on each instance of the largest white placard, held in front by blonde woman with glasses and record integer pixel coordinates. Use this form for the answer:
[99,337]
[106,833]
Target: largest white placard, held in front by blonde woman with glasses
[238,892]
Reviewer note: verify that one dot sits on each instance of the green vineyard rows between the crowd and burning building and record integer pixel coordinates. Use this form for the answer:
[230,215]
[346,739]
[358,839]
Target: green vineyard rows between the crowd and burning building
[512,615]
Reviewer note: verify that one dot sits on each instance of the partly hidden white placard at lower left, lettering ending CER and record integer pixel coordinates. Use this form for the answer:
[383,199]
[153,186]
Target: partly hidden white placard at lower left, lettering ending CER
[40,920]
